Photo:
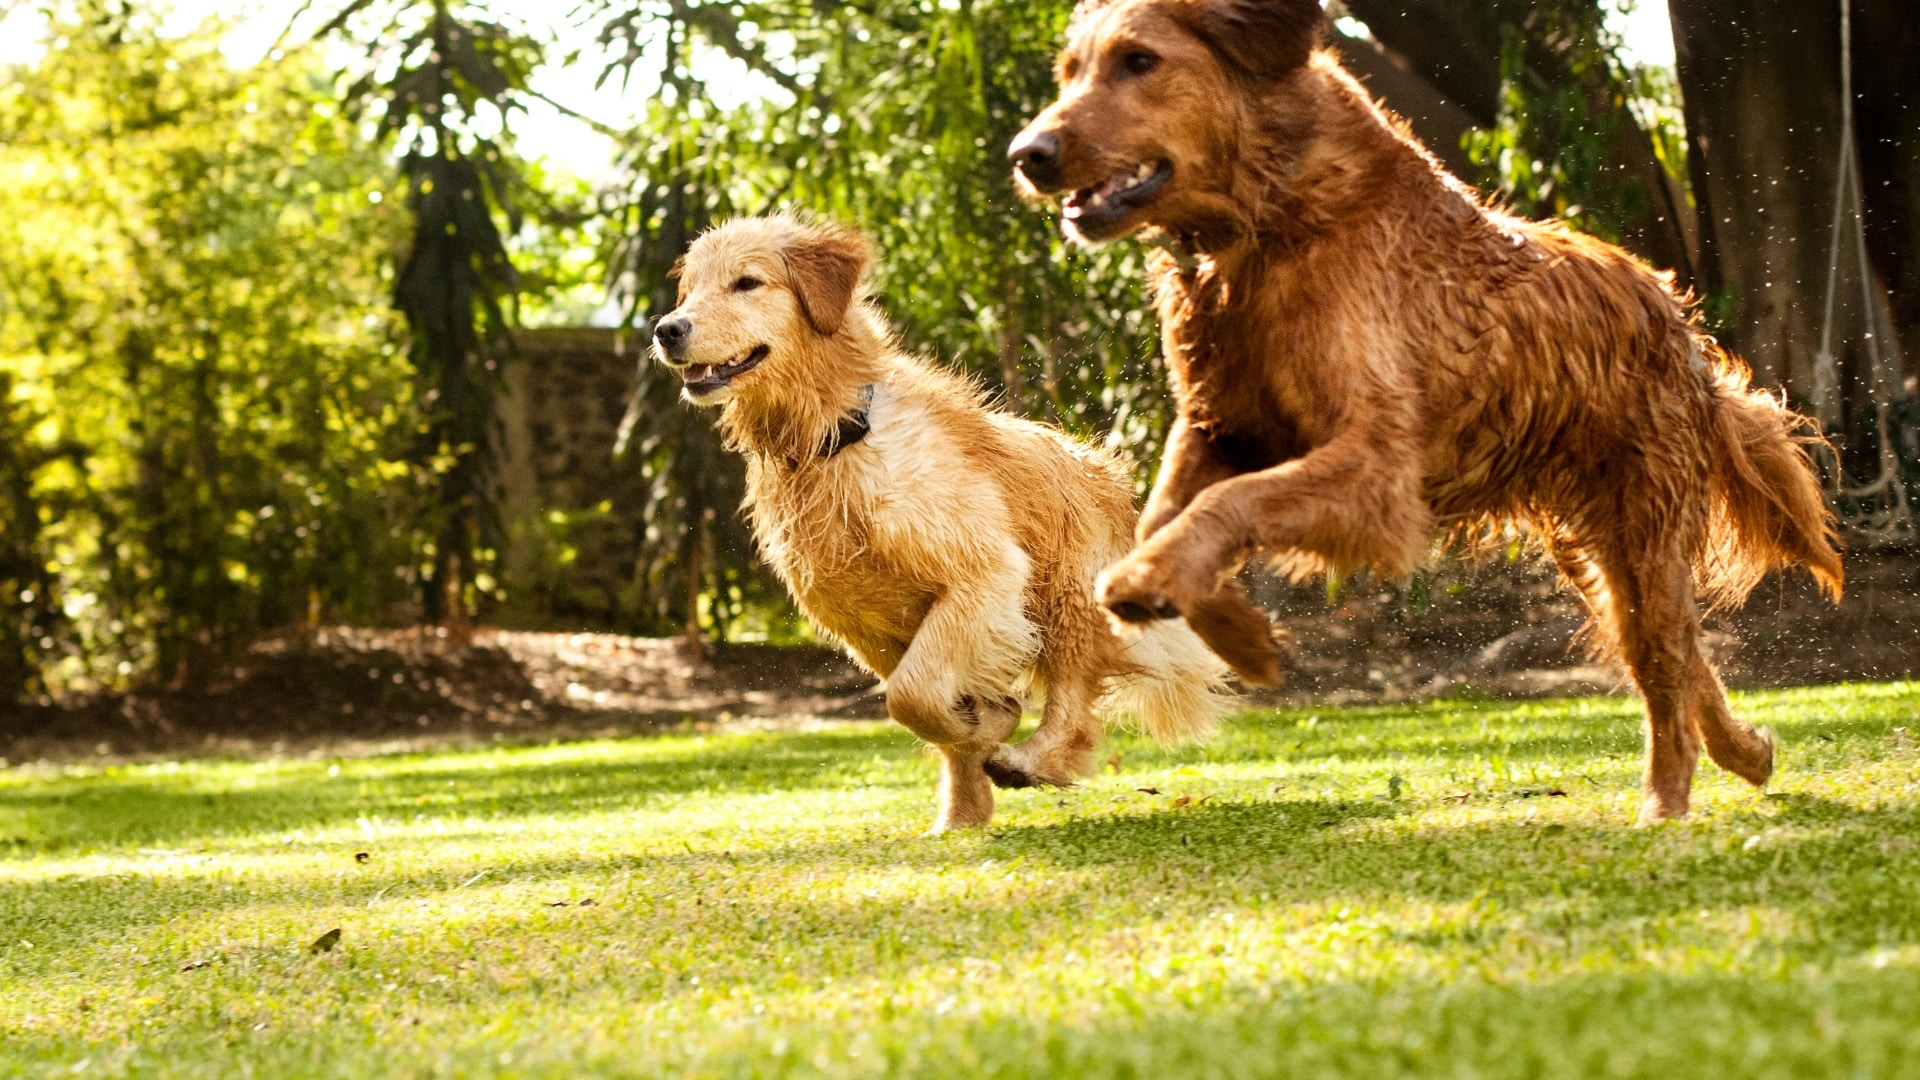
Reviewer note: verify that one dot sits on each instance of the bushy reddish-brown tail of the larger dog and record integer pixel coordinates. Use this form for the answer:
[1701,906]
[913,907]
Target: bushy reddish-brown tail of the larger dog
[1769,512]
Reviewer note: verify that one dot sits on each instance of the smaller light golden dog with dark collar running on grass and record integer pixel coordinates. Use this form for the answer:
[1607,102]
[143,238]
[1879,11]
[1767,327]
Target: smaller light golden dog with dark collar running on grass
[951,549]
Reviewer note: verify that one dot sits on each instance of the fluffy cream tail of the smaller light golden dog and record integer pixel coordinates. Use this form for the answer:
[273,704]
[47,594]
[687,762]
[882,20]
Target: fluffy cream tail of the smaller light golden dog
[1178,691]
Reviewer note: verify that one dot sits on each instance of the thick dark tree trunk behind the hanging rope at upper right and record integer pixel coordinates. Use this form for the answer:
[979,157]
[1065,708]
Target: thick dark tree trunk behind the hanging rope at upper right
[1764,110]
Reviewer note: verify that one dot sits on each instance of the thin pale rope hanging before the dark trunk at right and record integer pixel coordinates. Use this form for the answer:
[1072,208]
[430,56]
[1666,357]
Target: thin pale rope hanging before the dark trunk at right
[1877,512]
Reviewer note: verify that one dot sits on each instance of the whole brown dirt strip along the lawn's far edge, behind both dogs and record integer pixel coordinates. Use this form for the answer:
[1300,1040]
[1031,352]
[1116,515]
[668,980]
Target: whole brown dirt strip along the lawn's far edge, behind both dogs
[1500,631]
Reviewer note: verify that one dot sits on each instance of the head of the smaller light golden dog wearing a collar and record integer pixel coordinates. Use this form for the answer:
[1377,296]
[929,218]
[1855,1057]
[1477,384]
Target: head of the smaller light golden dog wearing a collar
[757,293]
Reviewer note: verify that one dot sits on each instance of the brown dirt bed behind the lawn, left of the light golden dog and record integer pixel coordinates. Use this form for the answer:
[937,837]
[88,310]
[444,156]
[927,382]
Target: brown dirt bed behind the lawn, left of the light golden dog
[395,687]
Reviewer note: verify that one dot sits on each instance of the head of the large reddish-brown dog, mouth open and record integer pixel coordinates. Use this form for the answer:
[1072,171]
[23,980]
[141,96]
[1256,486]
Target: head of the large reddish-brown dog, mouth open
[1155,103]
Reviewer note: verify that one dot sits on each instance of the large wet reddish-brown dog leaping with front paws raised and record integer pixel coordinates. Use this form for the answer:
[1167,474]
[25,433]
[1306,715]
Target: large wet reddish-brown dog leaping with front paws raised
[1366,356]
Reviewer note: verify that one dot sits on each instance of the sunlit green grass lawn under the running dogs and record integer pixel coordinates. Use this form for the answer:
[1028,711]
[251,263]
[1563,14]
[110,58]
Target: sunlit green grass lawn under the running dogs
[1441,891]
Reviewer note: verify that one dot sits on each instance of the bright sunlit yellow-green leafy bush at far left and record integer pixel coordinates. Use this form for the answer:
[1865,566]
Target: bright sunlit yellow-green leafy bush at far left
[206,397]
